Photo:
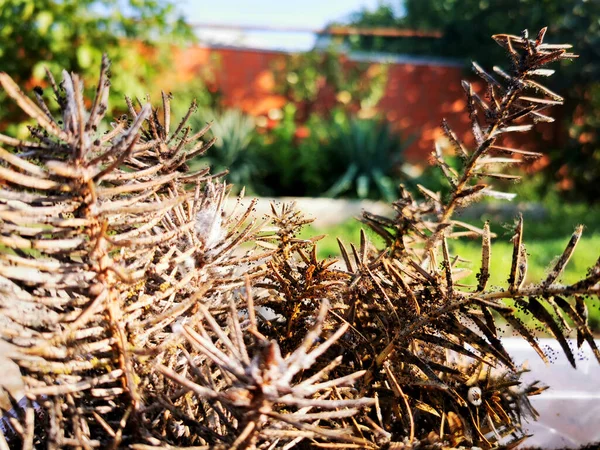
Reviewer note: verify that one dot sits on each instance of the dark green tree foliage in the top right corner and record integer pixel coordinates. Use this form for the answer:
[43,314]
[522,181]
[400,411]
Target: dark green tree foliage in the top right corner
[576,142]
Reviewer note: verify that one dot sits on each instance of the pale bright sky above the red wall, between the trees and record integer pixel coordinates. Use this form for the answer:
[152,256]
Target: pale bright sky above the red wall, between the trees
[314,14]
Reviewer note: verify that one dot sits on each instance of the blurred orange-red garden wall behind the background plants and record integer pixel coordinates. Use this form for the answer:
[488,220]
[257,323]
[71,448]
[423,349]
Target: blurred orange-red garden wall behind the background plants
[417,98]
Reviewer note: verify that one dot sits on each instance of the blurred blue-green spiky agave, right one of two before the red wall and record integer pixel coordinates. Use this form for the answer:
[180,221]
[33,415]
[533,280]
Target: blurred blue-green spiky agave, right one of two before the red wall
[367,151]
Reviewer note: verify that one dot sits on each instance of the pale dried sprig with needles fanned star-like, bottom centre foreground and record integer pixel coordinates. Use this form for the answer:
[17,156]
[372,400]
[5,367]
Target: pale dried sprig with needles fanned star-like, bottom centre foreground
[262,383]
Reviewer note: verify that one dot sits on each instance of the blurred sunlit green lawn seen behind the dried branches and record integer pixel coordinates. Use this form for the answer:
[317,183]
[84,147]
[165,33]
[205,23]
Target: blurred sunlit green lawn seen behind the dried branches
[545,240]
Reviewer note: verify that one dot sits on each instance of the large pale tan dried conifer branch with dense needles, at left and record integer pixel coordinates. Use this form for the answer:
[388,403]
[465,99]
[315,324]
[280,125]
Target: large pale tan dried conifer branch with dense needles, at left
[86,270]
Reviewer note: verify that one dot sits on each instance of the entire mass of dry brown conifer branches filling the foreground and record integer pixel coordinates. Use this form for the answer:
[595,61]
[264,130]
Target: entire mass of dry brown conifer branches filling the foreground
[143,315]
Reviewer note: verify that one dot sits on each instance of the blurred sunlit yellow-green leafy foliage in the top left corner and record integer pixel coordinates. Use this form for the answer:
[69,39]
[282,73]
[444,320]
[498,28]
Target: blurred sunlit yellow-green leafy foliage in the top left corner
[73,34]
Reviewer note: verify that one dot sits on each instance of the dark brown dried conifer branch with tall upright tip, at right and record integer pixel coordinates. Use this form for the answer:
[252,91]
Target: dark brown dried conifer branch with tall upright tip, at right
[433,307]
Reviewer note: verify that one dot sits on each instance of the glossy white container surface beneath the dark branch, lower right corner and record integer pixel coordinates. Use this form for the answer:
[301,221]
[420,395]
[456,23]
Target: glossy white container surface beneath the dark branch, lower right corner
[570,409]
